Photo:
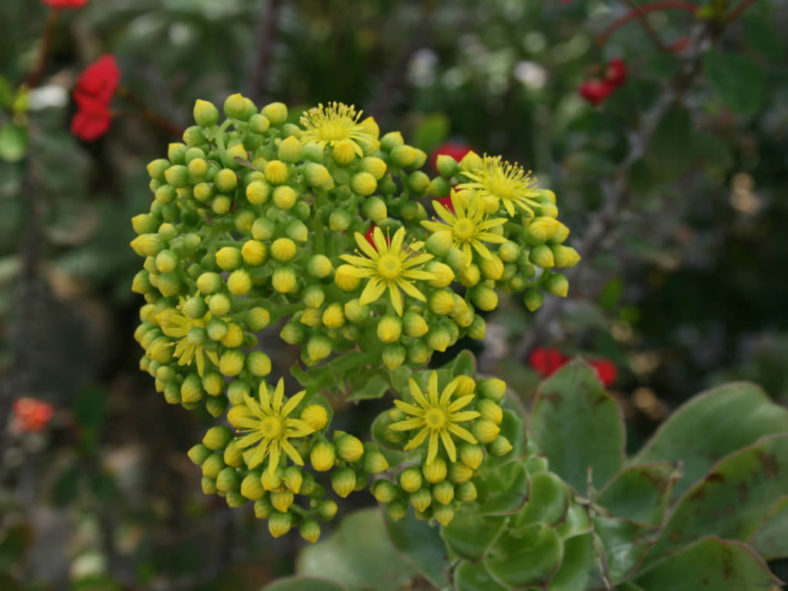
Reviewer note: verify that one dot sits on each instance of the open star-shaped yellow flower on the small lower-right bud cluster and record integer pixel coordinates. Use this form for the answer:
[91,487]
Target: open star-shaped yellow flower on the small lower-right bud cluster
[437,417]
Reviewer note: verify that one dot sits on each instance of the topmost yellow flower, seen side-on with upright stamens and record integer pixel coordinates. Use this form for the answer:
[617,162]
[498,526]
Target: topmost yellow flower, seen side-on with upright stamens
[328,125]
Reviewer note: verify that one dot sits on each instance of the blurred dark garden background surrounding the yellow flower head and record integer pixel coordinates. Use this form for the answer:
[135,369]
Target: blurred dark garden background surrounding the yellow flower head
[685,288]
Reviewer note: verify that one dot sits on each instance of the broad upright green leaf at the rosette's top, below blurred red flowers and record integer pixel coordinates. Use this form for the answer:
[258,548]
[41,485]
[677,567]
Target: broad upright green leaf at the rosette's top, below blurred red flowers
[578,426]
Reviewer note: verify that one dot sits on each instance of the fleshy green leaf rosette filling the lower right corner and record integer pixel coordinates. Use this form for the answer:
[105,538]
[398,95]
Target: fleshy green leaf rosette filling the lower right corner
[531,530]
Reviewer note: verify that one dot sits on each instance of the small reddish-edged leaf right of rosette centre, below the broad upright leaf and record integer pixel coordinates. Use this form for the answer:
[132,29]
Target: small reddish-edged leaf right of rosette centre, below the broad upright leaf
[641,493]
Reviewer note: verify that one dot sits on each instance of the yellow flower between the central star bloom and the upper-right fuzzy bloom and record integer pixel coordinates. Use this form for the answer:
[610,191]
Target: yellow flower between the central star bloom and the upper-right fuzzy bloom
[468,226]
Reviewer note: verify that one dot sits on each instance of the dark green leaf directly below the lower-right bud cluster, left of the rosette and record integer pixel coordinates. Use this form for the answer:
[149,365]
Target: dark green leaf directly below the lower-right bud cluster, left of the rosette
[422,545]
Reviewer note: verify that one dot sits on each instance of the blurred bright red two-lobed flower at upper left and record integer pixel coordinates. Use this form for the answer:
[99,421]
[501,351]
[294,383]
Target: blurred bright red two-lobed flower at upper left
[93,93]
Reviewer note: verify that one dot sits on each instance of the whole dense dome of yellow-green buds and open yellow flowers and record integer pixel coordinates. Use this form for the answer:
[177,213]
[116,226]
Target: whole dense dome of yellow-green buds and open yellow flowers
[320,226]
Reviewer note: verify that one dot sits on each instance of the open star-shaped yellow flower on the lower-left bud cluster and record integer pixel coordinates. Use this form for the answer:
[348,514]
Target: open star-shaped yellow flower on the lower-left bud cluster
[266,426]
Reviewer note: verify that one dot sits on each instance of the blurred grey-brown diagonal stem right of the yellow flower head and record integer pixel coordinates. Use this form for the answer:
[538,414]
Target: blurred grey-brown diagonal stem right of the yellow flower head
[616,190]
